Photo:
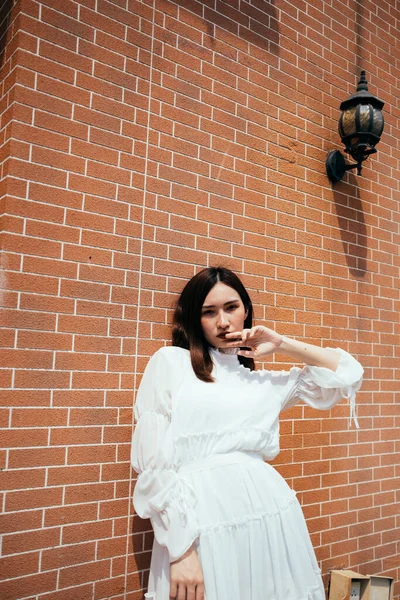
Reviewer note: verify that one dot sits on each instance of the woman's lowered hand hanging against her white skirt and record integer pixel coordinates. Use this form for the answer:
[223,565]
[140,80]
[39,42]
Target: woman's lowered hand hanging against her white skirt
[186,577]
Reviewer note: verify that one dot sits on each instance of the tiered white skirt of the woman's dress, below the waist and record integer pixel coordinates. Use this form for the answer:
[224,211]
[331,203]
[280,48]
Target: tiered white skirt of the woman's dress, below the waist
[253,541]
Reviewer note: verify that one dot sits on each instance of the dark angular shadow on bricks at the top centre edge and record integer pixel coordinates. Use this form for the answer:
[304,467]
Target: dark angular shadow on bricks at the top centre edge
[257,25]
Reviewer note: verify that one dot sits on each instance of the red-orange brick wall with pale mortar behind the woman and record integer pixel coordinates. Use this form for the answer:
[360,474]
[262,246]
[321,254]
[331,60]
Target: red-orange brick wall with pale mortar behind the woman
[141,142]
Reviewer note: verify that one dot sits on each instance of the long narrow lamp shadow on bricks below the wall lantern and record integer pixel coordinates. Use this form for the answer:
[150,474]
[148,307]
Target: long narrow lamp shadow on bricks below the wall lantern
[351,221]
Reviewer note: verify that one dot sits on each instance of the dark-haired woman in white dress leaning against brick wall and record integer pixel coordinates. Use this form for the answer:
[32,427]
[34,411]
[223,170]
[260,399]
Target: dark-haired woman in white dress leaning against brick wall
[227,526]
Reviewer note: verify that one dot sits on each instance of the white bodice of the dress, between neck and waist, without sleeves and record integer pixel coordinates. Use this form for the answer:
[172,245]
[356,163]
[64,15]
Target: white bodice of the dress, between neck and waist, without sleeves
[238,411]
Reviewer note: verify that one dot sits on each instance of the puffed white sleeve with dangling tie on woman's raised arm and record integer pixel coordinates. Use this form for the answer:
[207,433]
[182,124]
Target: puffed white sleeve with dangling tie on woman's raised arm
[323,388]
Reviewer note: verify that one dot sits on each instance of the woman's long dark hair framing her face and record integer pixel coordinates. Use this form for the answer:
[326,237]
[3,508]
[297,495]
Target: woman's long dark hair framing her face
[186,327]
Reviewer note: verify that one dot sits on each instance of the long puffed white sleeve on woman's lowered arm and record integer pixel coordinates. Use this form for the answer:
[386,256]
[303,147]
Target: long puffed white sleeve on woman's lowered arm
[160,494]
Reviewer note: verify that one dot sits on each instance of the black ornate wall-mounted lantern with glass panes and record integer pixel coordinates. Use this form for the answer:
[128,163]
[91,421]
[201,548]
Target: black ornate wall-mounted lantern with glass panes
[360,128]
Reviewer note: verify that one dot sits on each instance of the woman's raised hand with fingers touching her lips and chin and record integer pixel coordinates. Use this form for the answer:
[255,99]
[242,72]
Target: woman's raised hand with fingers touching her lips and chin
[261,341]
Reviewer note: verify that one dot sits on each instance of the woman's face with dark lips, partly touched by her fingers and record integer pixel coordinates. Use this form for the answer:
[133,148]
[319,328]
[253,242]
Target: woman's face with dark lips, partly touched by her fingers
[222,312]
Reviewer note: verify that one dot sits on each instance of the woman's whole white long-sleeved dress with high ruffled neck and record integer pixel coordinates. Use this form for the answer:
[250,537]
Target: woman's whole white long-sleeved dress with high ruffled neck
[199,449]
